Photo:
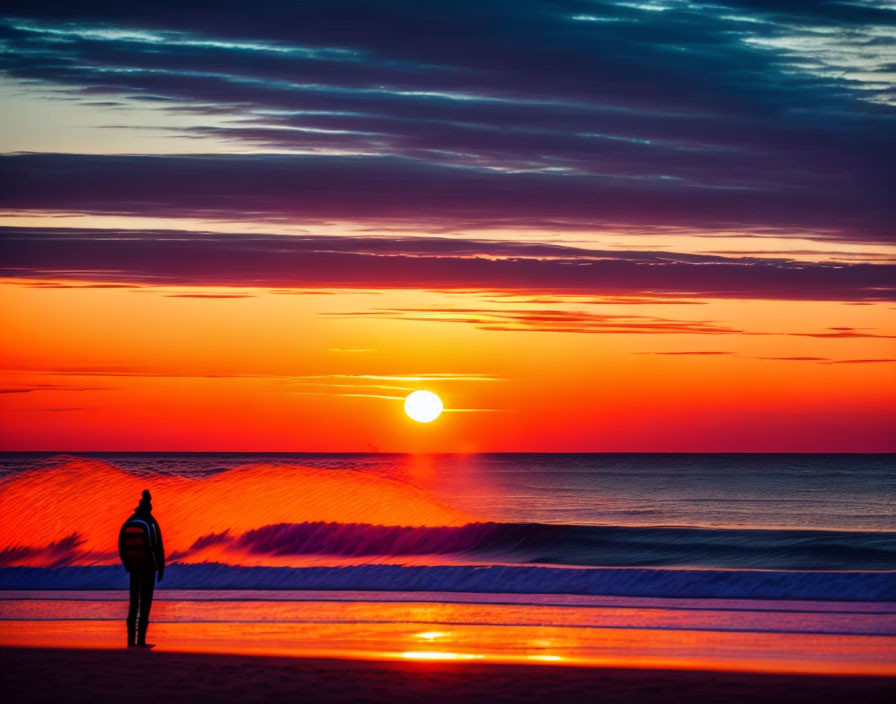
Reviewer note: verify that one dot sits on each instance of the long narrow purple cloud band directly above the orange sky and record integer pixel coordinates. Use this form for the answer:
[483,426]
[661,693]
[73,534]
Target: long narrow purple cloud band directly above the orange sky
[175,258]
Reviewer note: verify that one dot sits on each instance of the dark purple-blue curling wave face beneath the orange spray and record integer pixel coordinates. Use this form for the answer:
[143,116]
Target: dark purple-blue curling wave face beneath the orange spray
[292,544]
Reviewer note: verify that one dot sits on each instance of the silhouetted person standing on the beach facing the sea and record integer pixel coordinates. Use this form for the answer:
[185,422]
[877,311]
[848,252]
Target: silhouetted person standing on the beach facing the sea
[142,554]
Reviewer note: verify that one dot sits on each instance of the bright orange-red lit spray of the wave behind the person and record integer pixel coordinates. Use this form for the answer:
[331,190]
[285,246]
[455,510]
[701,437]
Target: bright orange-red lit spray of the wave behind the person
[71,514]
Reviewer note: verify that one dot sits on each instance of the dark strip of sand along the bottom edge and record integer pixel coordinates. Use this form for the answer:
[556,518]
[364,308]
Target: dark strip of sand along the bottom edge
[56,675]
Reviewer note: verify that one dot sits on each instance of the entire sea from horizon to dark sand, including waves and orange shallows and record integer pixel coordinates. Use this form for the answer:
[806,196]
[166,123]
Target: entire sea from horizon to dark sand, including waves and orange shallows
[355,553]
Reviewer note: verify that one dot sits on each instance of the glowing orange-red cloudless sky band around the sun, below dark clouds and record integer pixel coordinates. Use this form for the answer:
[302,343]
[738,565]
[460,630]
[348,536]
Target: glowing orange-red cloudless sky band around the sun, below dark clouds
[145,368]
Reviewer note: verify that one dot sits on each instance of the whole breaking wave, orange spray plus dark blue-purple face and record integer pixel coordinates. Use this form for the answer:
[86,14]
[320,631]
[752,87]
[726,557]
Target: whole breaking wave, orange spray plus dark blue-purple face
[68,514]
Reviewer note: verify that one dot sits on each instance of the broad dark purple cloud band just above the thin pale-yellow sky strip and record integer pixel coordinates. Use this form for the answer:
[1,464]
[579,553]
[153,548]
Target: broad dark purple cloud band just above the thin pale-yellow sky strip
[392,190]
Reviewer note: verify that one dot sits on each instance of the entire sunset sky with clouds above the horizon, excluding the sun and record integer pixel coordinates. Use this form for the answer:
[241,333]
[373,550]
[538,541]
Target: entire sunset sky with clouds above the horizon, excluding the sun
[586,225]
